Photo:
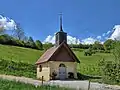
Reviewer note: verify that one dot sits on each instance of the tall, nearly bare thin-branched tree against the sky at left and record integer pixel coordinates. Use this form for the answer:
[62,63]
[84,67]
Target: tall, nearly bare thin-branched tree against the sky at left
[18,32]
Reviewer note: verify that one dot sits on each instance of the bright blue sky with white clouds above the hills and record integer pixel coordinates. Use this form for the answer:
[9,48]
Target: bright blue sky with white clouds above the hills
[84,20]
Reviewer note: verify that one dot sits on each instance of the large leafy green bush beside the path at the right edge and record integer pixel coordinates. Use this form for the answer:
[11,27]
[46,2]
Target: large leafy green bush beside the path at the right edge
[110,72]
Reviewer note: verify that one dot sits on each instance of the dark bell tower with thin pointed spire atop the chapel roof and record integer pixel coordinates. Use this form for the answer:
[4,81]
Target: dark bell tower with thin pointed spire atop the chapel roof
[60,35]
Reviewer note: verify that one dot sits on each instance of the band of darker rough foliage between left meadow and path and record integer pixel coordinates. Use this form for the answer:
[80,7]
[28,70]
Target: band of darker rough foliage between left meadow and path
[17,68]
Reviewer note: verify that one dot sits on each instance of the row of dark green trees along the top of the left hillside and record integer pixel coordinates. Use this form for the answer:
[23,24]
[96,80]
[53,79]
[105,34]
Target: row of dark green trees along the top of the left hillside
[9,40]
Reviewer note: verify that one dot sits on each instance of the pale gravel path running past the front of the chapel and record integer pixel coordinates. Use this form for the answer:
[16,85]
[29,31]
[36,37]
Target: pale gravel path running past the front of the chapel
[71,84]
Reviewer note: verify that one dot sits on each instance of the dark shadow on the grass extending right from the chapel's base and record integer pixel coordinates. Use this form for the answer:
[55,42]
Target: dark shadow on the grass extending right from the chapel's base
[87,77]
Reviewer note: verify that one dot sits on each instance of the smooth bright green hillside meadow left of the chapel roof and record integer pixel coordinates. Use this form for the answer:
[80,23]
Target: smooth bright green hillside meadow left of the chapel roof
[14,53]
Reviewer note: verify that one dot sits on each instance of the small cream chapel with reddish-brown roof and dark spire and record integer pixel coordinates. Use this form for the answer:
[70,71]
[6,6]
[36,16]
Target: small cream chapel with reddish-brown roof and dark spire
[58,62]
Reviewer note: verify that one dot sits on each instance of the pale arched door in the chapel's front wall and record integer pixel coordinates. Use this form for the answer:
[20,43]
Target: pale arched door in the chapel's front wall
[62,71]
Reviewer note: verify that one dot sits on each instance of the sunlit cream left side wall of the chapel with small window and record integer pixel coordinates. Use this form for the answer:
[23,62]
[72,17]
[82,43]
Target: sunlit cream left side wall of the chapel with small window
[45,71]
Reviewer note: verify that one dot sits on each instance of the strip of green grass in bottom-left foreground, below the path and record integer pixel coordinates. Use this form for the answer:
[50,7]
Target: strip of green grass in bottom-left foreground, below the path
[12,85]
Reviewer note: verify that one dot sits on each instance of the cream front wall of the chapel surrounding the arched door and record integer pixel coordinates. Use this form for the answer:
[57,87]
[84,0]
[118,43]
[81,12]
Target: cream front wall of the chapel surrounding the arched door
[70,67]
